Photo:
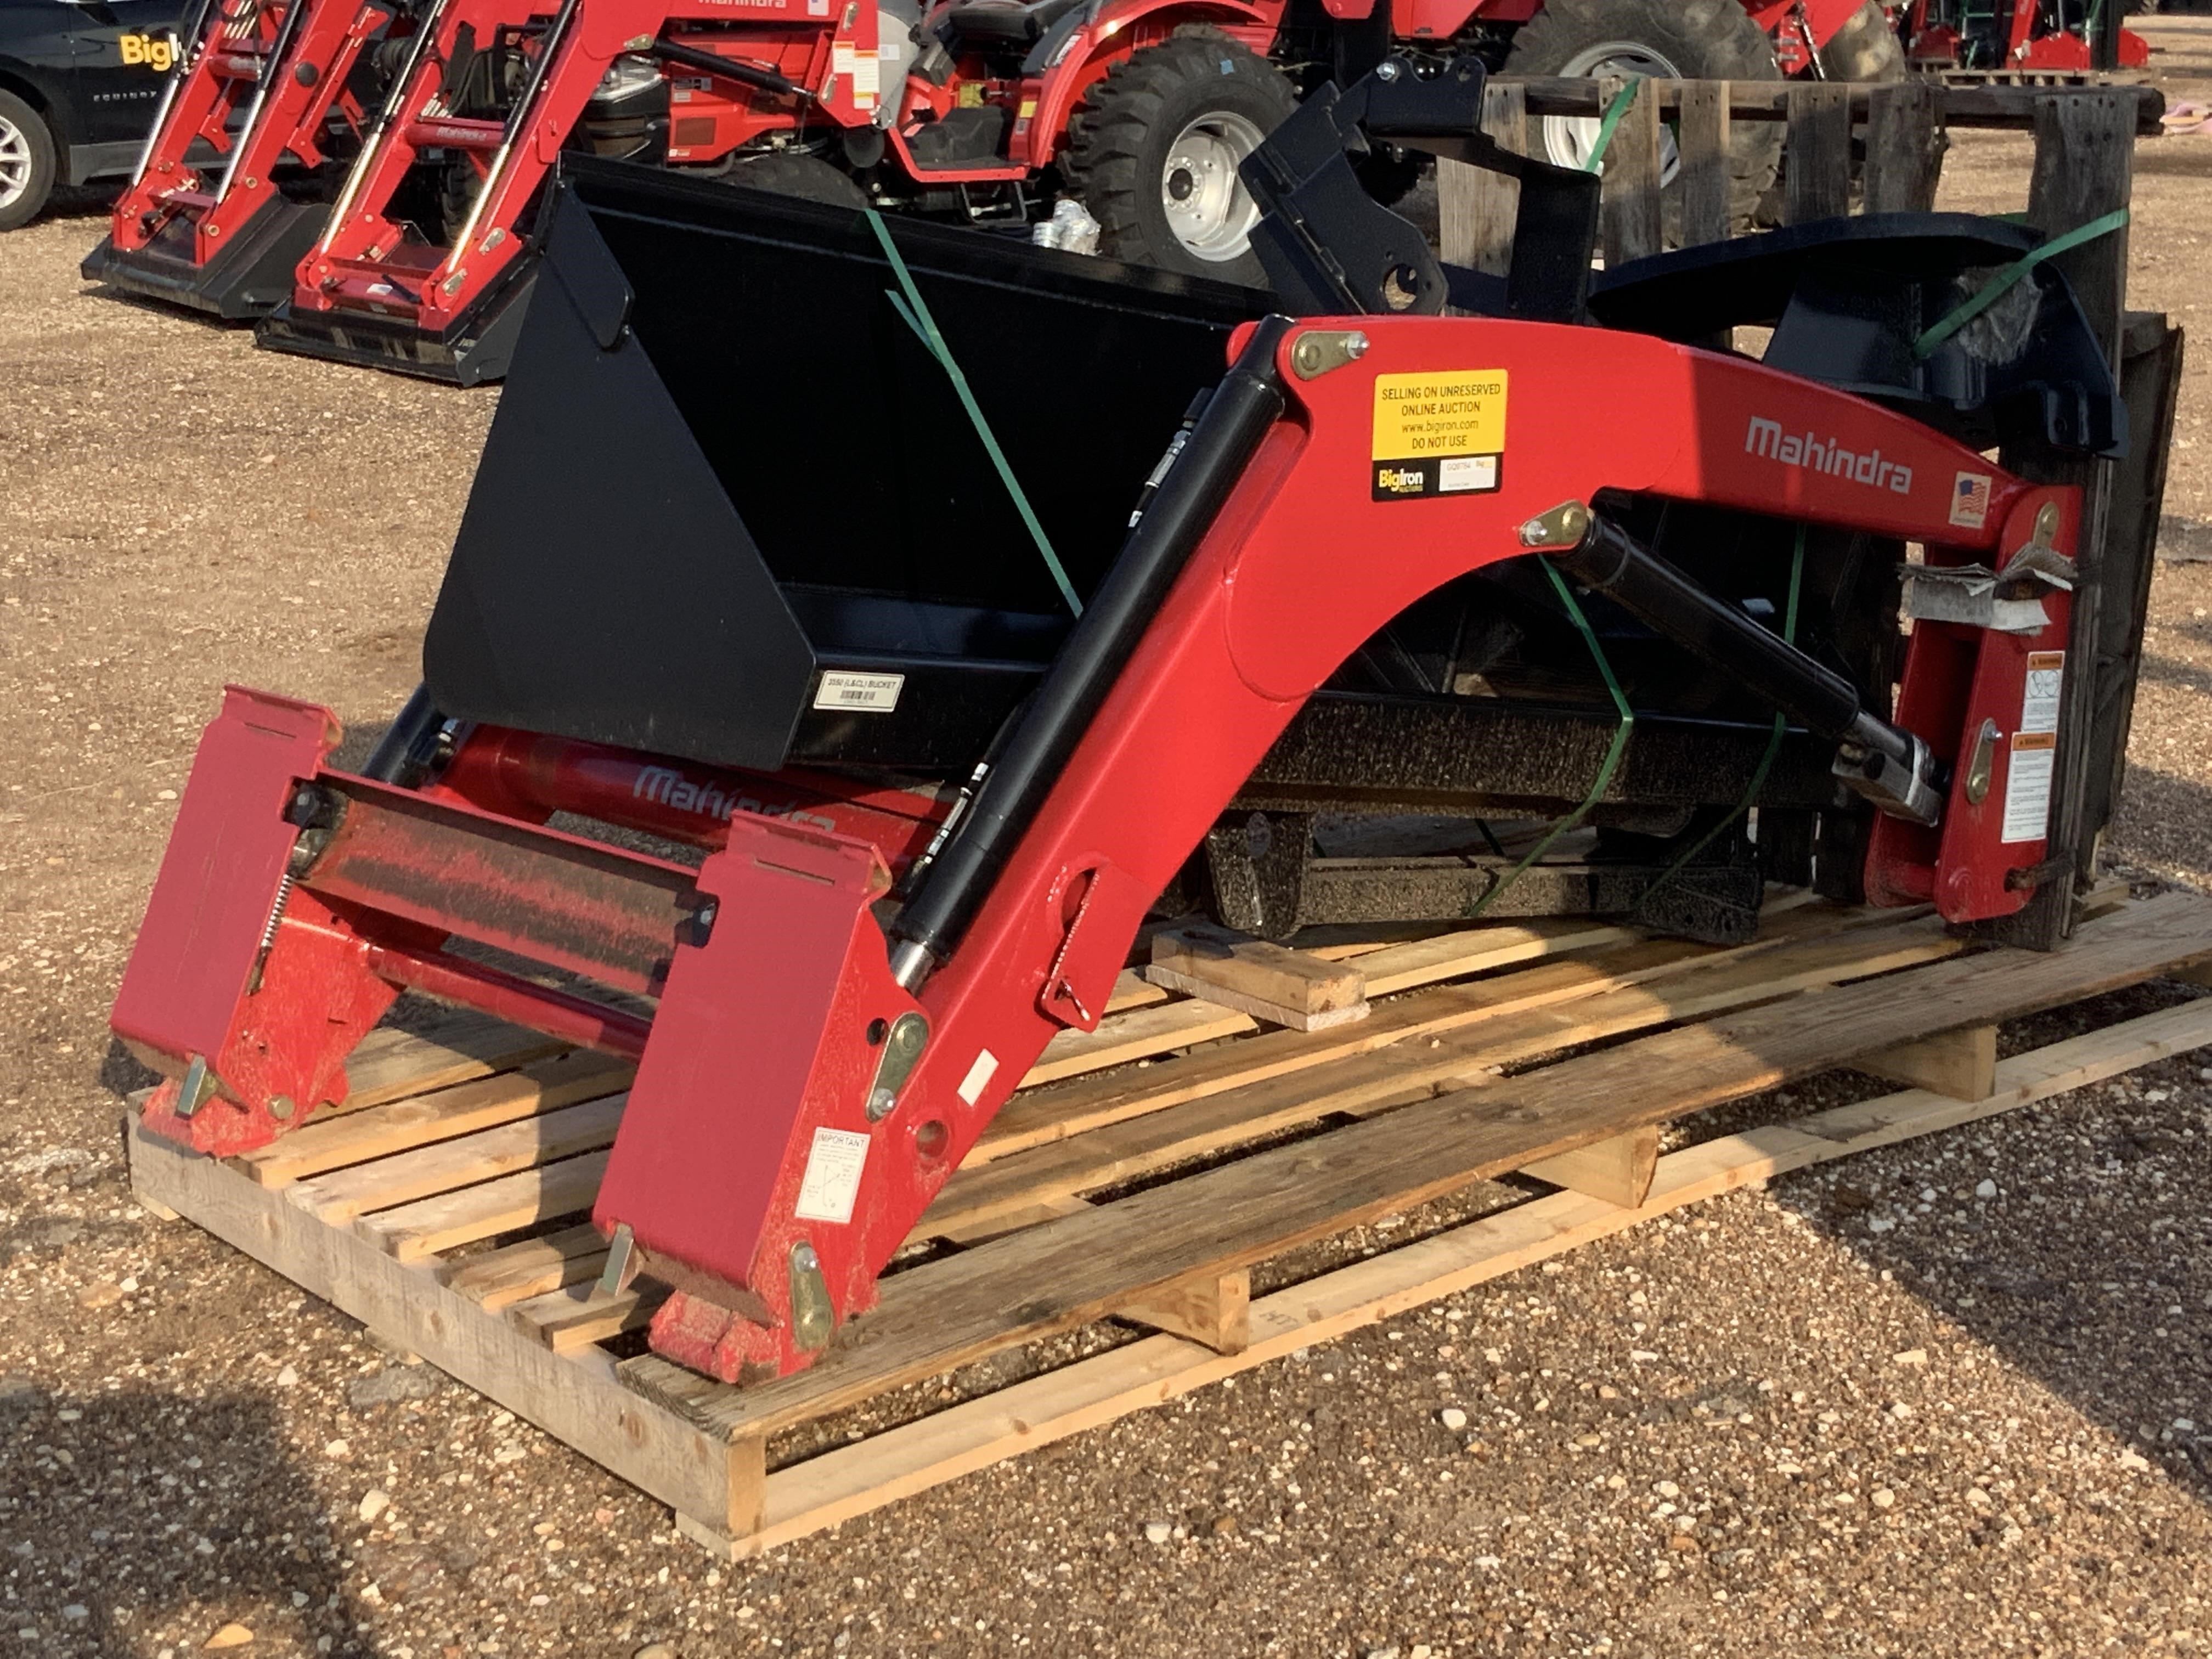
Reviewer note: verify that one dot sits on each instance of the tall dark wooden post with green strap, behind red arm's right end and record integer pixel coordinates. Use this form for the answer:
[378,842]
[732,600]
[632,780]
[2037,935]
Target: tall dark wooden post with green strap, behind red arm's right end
[2085,167]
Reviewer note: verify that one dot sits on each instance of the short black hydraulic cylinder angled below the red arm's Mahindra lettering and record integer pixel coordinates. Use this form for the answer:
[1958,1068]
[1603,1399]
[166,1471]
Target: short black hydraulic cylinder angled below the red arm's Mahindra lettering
[1609,561]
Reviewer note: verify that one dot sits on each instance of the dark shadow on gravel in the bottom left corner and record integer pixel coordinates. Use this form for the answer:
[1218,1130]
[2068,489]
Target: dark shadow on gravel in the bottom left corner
[143,1521]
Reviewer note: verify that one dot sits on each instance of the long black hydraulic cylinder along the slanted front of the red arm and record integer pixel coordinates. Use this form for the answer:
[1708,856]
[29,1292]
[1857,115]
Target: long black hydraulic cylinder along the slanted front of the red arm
[1238,417]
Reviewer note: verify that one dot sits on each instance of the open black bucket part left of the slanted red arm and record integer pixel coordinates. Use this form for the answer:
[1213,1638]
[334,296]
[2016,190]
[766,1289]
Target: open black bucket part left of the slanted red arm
[735,508]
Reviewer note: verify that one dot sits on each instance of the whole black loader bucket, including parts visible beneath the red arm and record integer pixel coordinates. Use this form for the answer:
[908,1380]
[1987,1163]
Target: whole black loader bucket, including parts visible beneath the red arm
[738,510]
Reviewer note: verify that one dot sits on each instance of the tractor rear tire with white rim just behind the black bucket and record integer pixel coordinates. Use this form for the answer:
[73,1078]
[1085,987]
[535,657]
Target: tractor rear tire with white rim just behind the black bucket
[1154,154]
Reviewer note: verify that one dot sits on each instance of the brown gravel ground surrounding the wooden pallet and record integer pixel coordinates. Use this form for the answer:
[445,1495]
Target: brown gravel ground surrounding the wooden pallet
[1952,1397]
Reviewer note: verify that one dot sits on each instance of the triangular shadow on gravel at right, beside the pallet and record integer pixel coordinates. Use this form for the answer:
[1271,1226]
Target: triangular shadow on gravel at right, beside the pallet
[2072,1238]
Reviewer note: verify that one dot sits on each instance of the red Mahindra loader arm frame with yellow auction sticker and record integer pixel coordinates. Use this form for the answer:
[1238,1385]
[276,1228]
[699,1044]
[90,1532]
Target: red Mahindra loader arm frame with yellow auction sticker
[335,893]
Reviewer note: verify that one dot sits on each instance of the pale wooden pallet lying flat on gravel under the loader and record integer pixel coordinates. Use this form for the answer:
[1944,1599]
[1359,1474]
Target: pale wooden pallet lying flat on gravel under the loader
[446,1207]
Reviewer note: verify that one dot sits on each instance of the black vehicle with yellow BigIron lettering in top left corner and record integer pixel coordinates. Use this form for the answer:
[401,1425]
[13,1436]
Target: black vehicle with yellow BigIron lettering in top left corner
[81,83]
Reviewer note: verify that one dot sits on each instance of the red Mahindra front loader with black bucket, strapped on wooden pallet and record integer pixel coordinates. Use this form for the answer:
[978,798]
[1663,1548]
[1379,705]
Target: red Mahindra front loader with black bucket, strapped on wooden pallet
[926,713]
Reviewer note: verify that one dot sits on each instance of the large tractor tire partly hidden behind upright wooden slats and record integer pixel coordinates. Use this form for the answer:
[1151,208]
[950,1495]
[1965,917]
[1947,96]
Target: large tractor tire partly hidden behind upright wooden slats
[1669,41]
